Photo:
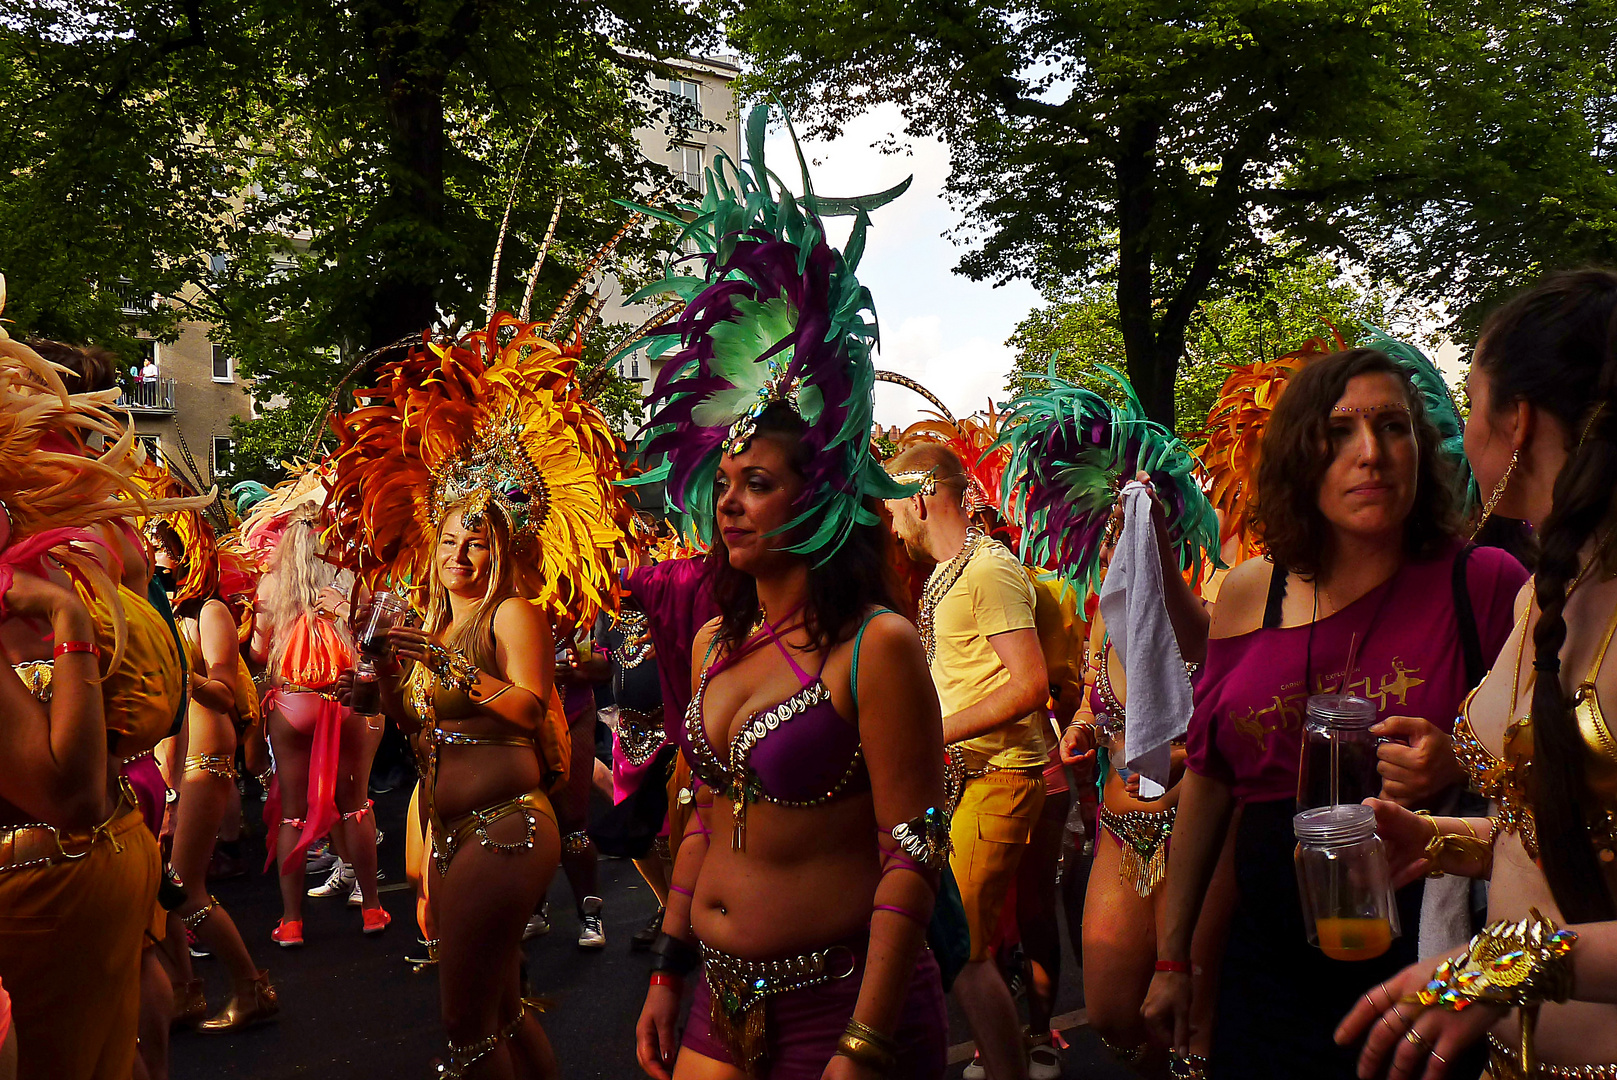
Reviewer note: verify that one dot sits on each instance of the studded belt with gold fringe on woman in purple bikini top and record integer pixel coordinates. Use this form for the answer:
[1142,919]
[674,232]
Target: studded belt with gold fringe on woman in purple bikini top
[741,987]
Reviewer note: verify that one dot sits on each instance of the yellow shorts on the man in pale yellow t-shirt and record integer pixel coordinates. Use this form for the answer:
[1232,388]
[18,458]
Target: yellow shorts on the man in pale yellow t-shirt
[990,832]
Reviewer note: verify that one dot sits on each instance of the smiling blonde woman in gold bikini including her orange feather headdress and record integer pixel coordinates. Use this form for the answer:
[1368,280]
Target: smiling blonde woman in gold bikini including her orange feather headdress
[481,478]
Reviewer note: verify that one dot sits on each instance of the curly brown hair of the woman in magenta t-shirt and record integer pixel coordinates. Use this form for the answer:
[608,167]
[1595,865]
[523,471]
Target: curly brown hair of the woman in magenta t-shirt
[1296,455]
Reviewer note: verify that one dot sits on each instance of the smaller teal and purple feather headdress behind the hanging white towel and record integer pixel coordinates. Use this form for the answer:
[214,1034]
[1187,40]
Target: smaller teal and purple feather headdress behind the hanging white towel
[1071,454]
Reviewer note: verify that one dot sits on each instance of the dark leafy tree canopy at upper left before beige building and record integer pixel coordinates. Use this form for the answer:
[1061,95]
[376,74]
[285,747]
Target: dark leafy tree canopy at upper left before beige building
[316,179]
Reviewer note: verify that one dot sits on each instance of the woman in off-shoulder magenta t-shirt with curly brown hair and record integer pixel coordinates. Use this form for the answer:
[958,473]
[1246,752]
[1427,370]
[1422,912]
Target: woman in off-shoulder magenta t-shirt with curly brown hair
[1357,510]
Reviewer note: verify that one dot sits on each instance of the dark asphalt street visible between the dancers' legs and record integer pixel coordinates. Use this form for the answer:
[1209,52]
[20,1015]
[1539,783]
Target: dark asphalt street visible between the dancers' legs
[353,1008]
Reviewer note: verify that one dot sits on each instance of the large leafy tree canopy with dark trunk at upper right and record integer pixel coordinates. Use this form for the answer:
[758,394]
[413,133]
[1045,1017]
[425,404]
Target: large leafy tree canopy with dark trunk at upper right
[1172,150]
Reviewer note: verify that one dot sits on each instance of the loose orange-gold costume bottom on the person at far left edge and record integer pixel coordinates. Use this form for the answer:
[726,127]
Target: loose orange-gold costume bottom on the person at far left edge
[74,913]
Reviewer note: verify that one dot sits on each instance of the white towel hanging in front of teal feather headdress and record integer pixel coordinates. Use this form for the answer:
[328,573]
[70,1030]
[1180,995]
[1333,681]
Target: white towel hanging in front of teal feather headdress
[1136,610]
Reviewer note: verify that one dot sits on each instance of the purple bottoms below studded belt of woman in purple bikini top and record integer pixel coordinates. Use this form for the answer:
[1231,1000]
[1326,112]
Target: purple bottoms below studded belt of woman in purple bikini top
[803,1026]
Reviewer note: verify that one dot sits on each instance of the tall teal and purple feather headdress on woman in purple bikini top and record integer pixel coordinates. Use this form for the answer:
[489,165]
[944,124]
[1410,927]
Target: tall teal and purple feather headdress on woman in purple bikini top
[775,316]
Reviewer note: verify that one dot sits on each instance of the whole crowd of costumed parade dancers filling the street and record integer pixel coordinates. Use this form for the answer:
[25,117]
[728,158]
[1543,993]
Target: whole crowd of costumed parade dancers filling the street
[1319,774]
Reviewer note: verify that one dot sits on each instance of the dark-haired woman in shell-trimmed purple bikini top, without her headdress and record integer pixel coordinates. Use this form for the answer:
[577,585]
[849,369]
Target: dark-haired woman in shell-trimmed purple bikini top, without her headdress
[808,872]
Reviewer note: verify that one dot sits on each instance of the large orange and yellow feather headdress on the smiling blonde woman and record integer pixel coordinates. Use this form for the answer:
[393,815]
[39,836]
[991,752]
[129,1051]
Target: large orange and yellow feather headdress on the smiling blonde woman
[491,423]
